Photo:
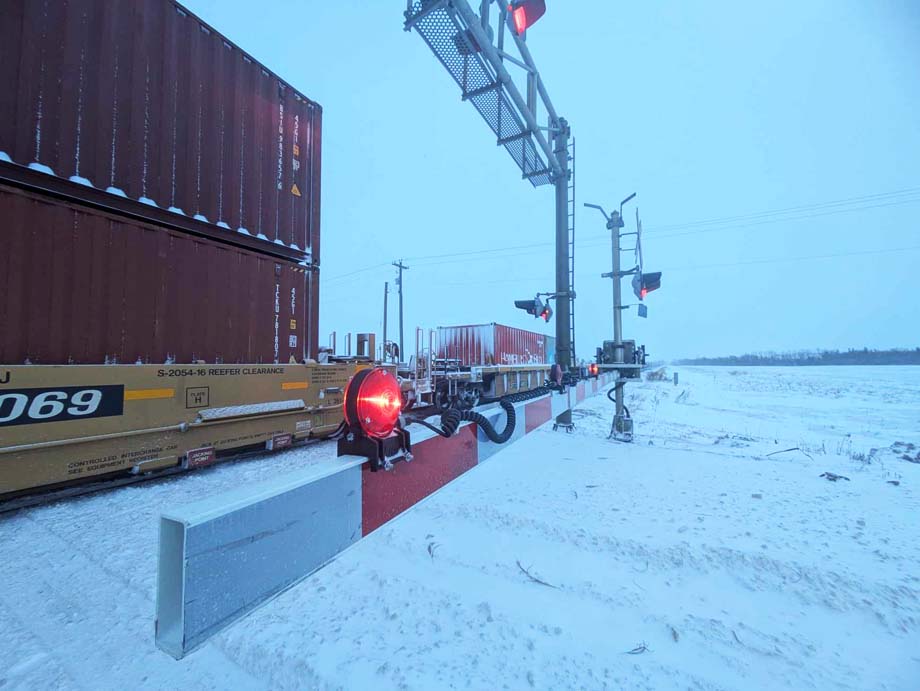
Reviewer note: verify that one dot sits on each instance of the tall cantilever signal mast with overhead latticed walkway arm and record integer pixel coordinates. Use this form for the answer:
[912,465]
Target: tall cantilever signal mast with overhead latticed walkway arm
[476,50]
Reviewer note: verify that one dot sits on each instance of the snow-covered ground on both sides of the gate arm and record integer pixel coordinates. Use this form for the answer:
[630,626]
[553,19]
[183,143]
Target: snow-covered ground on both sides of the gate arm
[691,558]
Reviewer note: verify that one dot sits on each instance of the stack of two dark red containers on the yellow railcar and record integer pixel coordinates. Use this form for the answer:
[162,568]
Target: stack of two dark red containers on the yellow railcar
[159,192]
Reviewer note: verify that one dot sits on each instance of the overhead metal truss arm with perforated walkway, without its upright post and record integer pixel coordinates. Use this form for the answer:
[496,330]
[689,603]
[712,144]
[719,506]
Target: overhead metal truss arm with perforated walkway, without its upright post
[463,42]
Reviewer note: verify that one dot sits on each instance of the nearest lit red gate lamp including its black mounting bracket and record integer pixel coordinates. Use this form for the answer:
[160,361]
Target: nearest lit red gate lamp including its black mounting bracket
[373,403]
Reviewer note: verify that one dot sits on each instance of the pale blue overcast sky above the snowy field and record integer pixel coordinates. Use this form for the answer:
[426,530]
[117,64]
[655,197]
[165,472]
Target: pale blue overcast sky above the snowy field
[708,110]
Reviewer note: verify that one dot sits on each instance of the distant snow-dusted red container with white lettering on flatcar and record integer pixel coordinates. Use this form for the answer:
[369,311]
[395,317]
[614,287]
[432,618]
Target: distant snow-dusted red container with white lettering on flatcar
[491,344]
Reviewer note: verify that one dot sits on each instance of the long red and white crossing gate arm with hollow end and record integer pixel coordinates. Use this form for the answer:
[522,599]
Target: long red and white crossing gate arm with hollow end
[222,557]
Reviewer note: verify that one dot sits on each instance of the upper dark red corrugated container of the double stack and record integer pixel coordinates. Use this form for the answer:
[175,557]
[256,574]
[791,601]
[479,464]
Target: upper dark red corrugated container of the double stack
[144,100]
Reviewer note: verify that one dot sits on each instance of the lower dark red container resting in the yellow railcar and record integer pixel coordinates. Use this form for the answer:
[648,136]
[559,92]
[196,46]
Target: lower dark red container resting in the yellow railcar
[81,286]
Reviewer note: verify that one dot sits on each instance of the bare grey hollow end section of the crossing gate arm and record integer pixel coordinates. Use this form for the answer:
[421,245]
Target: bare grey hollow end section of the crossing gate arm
[221,557]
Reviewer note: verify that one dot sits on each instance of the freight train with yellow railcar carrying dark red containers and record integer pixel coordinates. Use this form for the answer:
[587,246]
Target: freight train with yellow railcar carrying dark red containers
[159,284]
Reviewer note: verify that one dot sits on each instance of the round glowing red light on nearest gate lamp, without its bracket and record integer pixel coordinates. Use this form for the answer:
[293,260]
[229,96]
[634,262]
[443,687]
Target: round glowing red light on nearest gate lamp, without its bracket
[374,400]
